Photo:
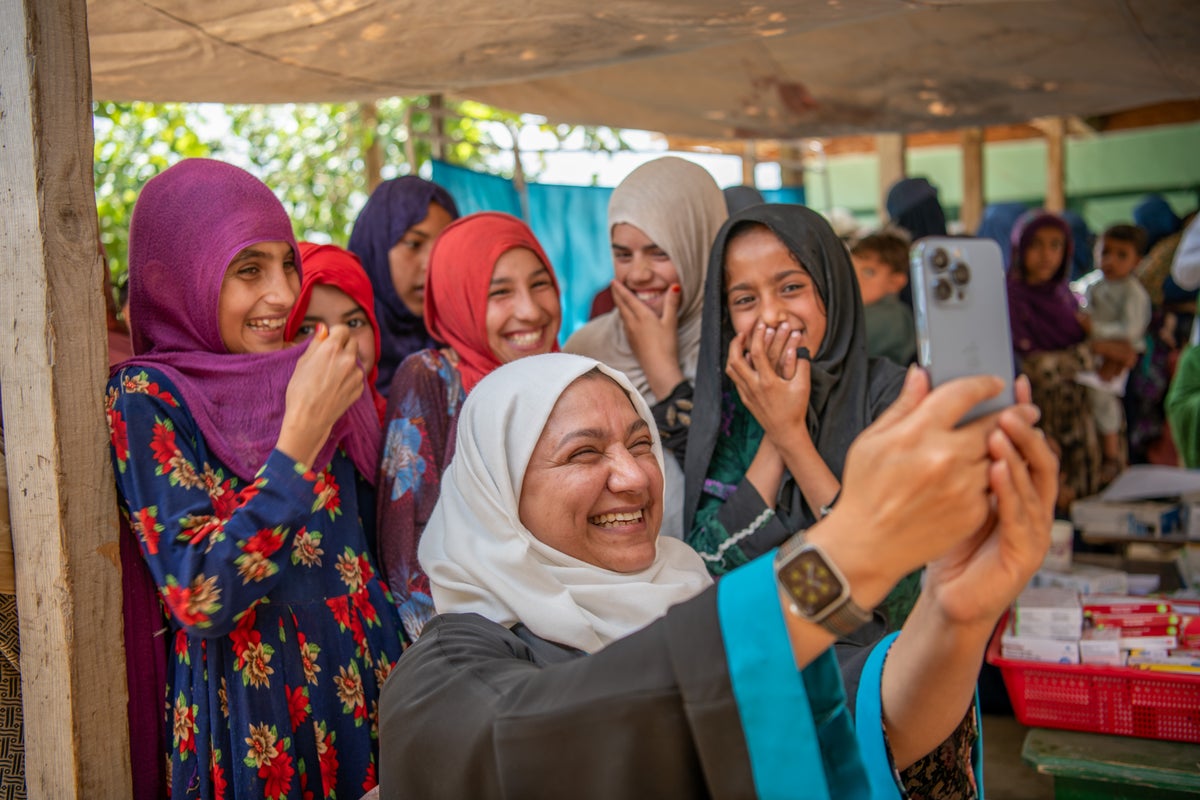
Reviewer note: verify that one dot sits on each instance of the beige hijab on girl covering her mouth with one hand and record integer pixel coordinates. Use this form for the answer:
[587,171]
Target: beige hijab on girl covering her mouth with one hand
[677,204]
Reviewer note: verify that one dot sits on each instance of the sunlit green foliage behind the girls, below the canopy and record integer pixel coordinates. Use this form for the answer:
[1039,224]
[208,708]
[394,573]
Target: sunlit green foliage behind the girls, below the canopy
[316,158]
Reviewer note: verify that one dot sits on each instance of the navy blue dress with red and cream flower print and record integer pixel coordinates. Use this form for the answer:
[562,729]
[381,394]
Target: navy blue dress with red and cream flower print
[281,633]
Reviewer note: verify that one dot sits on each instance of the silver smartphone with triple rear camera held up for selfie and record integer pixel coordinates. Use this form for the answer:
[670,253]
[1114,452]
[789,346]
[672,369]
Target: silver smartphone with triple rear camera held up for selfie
[961,308]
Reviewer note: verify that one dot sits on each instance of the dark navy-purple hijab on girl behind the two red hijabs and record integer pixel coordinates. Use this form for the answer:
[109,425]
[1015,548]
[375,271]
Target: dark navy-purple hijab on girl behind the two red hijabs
[394,208]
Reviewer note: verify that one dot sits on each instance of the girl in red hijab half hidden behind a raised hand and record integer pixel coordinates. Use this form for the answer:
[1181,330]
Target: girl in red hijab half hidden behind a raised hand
[338,292]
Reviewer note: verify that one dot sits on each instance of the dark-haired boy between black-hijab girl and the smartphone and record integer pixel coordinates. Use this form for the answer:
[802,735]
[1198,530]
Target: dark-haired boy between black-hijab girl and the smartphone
[881,262]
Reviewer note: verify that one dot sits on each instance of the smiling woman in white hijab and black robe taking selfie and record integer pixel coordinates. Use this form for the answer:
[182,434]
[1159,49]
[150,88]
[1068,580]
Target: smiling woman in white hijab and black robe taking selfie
[579,654]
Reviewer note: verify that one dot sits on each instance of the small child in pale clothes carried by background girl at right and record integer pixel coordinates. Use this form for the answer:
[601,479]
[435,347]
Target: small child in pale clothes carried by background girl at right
[1118,308]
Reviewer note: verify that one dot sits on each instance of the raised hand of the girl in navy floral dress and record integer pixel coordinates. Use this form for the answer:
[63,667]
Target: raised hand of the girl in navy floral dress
[327,382]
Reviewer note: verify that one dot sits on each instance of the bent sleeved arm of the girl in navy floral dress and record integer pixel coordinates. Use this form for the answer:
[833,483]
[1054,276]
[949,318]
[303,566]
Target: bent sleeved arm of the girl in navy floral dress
[214,549]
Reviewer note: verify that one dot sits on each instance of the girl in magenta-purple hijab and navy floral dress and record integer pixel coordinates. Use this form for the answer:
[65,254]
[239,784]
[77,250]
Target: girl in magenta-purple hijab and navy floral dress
[243,471]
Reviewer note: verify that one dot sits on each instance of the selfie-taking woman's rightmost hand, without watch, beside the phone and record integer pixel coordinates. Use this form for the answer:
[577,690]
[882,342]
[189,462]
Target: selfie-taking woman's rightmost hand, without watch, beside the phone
[979,579]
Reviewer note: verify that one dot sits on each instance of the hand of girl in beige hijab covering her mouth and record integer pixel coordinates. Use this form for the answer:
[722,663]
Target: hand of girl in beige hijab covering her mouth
[655,340]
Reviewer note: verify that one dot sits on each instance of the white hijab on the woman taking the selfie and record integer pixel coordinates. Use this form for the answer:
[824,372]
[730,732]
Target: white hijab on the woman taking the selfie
[481,558]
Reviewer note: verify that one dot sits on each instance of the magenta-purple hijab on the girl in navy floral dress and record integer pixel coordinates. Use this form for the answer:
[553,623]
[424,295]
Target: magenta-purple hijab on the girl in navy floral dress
[189,224]
